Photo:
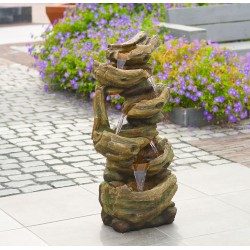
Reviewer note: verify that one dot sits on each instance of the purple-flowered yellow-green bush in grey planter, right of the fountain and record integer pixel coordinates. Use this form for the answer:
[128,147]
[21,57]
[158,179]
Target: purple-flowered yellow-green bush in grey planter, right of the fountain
[204,75]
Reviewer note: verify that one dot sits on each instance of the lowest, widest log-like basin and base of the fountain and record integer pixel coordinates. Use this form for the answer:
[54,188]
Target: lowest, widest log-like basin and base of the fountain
[127,210]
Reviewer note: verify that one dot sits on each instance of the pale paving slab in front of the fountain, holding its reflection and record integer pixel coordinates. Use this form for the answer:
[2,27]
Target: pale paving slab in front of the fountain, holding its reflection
[91,231]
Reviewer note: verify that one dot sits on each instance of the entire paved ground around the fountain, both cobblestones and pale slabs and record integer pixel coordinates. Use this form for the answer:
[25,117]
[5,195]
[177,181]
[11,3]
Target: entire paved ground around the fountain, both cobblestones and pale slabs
[50,173]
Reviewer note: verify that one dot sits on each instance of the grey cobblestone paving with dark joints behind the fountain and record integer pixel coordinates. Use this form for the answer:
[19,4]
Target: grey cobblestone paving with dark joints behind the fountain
[45,138]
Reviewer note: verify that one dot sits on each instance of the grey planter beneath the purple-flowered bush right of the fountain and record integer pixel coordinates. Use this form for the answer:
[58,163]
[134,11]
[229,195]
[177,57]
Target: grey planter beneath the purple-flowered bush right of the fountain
[189,117]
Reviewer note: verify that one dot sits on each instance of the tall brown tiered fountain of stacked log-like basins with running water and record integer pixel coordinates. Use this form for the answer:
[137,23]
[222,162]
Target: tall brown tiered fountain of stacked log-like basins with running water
[138,187]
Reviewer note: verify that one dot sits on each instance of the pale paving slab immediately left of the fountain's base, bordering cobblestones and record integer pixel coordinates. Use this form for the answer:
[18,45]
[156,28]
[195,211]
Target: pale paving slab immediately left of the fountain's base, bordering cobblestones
[53,205]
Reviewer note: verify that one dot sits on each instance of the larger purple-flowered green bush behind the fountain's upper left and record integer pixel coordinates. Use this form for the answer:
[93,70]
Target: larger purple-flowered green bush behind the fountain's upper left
[66,56]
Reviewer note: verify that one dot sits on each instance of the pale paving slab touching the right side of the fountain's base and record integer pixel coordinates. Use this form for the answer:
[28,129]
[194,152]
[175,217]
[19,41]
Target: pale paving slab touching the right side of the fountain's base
[202,216]
